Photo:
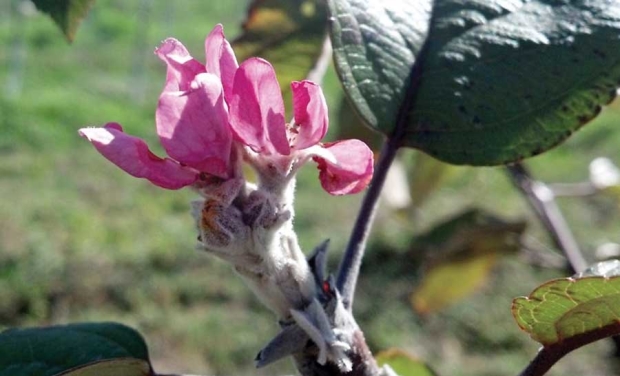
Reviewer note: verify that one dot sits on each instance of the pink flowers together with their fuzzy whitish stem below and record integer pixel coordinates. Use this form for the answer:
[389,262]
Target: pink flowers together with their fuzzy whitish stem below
[210,119]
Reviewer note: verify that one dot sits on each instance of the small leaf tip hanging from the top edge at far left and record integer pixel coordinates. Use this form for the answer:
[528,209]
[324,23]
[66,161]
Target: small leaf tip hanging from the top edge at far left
[66,13]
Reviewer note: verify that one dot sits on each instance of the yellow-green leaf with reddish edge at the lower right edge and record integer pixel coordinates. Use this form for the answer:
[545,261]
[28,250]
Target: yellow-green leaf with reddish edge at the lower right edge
[574,310]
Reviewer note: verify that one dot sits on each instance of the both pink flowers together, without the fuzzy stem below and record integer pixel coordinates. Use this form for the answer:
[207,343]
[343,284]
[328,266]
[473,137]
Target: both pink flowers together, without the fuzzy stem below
[207,113]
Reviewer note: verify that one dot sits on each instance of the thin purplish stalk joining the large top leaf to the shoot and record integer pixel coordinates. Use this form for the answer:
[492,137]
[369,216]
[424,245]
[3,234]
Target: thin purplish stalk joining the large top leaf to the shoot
[352,260]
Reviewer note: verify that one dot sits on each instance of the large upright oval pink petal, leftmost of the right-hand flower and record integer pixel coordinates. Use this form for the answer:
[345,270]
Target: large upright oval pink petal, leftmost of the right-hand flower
[257,109]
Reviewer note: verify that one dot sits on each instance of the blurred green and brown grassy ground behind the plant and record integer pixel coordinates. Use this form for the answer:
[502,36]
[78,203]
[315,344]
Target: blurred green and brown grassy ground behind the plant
[82,241]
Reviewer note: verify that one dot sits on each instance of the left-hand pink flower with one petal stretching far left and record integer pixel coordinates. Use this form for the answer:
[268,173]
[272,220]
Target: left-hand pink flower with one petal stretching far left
[191,117]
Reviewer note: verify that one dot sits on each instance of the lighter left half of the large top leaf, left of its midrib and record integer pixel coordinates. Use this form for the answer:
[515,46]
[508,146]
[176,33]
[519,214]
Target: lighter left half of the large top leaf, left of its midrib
[374,51]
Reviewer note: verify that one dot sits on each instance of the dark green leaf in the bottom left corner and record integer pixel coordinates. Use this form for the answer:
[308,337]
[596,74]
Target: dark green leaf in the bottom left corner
[57,349]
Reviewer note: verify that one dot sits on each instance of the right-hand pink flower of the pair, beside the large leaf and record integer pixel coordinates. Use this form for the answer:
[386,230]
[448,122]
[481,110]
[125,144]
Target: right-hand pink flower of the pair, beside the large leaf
[258,121]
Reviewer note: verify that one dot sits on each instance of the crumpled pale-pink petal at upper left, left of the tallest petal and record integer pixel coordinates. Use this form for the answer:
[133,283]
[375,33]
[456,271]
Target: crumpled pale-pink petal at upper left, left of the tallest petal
[182,68]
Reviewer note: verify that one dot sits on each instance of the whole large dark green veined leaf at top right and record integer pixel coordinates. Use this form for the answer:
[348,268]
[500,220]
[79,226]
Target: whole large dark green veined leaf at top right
[478,82]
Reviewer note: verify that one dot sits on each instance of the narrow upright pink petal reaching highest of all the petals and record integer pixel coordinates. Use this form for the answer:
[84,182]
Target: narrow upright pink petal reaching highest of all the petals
[221,59]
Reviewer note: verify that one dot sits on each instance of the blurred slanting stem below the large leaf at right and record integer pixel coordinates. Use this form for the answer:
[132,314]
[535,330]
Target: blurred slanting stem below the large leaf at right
[542,199]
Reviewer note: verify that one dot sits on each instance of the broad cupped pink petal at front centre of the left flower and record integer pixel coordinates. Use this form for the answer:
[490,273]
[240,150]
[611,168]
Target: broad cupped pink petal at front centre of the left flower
[193,126]
